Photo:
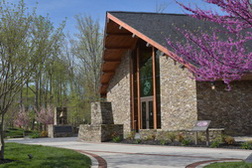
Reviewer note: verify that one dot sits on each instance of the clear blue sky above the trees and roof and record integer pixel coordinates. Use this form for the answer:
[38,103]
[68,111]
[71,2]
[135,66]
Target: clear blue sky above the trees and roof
[58,10]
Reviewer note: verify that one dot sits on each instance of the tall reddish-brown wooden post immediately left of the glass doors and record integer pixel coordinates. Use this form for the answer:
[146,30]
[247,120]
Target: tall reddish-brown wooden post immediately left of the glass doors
[138,91]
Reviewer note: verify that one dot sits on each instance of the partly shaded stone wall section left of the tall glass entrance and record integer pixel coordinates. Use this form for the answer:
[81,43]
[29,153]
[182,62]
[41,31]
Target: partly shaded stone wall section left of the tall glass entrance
[118,94]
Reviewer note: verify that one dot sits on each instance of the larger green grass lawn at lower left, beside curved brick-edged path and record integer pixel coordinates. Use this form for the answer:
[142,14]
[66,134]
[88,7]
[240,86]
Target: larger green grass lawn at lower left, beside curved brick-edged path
[43,157]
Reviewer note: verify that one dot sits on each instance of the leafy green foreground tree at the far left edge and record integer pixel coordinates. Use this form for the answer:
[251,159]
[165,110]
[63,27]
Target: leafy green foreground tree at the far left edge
[19,56]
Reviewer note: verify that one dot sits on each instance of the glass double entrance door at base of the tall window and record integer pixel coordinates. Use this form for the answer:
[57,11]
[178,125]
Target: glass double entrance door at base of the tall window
[147,112]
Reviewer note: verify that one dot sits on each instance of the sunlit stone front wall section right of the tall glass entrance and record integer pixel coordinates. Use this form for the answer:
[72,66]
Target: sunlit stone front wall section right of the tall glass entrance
[178,96]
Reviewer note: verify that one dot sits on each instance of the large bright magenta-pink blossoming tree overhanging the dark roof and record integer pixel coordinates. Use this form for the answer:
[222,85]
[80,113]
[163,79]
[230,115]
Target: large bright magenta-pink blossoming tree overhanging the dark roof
[211,57]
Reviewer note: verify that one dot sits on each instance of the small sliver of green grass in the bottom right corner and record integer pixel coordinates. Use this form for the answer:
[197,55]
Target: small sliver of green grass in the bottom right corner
[230,165]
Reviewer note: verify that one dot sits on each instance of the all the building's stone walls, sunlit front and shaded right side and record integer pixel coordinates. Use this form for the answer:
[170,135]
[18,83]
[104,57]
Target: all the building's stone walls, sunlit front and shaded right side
[184,100]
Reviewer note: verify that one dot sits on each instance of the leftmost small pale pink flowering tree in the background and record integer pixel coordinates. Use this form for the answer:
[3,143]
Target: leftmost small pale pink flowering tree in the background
[22,118]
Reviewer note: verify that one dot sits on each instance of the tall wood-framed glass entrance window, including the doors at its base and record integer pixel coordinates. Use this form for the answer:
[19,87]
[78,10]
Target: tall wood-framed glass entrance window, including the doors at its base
[143,103]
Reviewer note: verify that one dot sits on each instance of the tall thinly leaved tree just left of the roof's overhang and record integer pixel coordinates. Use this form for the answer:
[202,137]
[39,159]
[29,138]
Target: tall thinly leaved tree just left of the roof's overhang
[87,50]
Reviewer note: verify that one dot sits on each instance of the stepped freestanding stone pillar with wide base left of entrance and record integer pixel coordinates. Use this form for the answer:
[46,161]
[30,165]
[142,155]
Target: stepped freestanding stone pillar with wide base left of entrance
[102,126]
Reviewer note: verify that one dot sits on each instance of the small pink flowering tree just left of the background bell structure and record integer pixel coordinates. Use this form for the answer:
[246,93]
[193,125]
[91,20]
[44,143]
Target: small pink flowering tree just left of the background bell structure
[45,115]
